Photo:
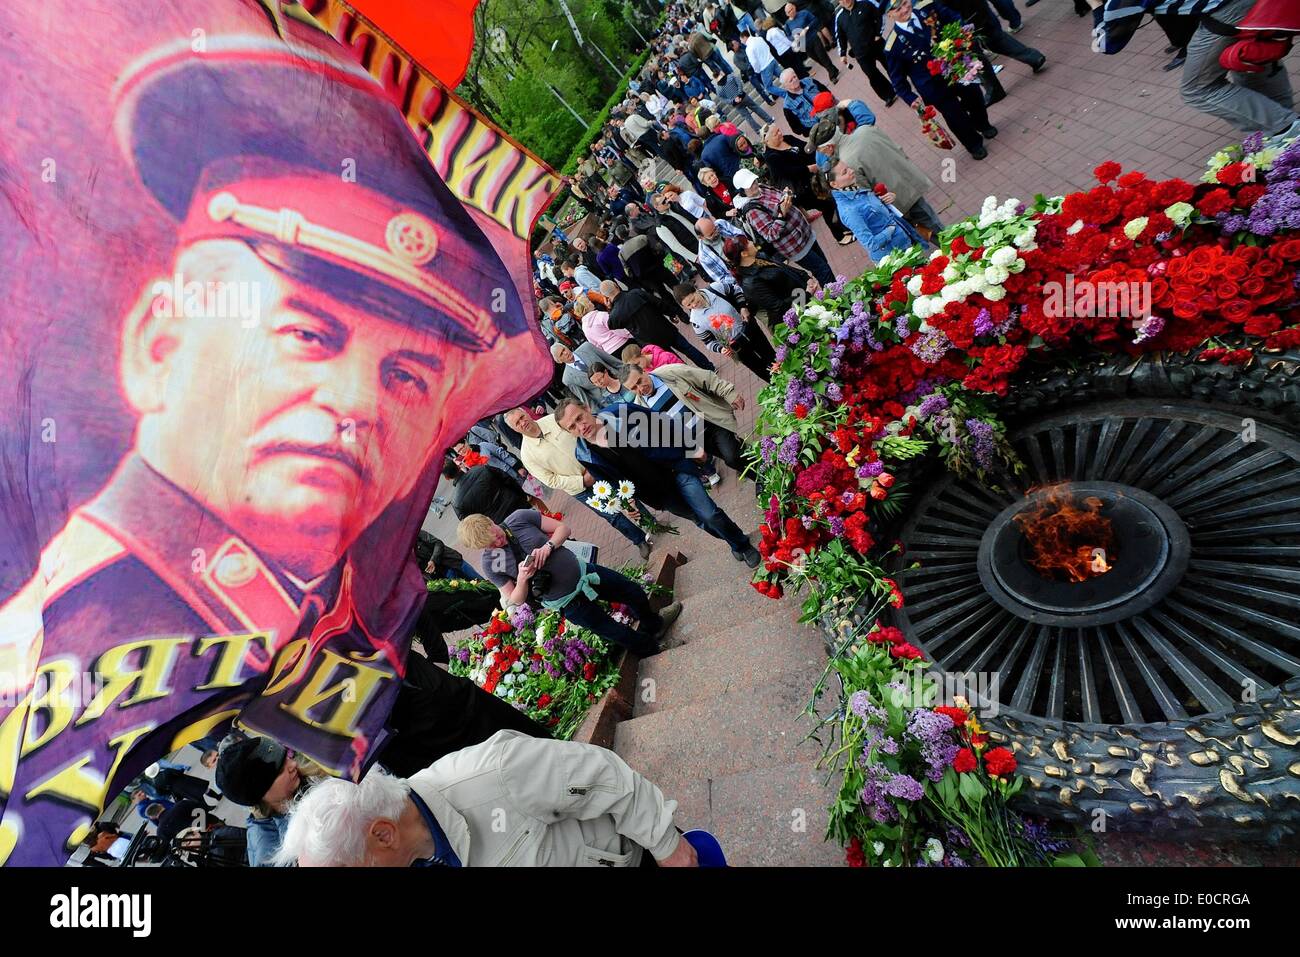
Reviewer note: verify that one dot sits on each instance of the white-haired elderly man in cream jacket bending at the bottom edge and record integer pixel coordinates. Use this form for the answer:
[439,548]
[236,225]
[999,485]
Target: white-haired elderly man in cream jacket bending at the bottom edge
[512,802]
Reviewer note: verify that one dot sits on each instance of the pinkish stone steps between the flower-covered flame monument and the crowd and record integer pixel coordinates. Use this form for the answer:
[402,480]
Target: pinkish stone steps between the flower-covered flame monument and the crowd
[718,722]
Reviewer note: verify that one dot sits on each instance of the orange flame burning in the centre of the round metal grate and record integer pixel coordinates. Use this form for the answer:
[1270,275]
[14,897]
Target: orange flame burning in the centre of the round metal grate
[1068,543]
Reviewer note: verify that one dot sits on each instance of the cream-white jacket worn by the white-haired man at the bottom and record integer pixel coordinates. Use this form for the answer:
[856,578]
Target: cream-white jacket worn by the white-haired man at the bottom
[525,802]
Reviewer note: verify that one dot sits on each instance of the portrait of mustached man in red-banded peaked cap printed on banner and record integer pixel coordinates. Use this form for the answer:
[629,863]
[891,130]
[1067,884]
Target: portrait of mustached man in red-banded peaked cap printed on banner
[213,575]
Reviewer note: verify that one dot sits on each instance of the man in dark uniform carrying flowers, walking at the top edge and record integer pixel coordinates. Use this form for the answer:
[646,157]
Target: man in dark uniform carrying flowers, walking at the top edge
[909,45]
